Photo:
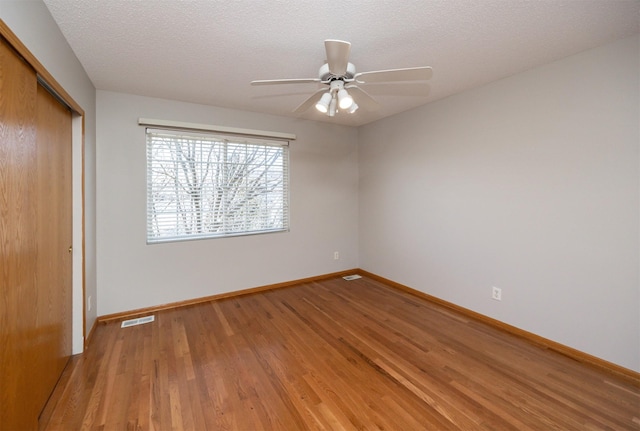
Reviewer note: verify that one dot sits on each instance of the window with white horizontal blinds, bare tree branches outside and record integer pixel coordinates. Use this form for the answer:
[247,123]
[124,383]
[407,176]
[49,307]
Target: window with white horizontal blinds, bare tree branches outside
[201,185]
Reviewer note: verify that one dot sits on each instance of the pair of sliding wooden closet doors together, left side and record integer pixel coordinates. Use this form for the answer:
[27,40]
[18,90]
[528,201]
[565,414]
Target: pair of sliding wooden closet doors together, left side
[35,268]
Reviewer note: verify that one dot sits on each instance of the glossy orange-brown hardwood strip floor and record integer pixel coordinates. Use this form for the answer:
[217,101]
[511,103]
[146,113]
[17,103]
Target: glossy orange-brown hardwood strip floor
[332,355]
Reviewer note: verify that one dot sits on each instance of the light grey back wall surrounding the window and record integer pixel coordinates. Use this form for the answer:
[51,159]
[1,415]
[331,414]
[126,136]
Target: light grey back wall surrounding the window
[131,274]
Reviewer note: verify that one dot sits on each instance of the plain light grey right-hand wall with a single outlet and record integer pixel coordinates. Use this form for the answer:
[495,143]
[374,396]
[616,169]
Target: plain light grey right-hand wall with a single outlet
[530,184]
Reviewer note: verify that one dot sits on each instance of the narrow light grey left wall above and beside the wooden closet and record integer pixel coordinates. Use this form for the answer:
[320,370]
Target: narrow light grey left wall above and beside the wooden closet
[31,21]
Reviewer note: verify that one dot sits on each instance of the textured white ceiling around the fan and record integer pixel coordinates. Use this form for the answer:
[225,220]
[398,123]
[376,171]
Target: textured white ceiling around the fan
[207,51]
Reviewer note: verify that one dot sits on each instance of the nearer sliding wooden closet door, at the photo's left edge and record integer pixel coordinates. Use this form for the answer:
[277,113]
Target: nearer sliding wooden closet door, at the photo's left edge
[18,264]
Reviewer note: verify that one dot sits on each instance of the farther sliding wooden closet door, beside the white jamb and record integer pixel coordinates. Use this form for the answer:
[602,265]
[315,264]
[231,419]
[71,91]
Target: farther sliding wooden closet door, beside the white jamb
[54,227]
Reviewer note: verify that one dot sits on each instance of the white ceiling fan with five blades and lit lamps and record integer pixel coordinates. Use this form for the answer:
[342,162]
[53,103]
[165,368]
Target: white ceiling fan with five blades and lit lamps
[343,82]
